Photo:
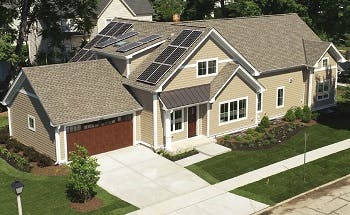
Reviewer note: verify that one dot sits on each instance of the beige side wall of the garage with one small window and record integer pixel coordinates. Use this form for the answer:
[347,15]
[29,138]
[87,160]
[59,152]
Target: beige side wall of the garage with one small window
[43,139]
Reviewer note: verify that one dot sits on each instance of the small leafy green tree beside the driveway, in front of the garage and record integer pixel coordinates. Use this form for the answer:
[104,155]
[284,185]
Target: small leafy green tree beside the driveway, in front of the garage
[83,177]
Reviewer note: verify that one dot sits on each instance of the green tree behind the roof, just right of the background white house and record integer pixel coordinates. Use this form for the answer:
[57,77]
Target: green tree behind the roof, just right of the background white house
[165,9]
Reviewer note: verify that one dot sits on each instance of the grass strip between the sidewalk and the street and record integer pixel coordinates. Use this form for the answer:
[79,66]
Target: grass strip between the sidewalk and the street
[290,183]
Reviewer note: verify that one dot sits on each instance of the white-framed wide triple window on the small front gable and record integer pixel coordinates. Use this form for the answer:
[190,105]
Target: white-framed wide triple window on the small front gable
[233,110]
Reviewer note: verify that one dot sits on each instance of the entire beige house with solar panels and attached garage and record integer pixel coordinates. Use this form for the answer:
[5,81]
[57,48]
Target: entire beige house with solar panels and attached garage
[166,85]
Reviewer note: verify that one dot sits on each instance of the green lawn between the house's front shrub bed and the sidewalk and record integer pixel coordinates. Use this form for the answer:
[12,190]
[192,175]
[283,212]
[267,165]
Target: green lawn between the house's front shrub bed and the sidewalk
[235,163]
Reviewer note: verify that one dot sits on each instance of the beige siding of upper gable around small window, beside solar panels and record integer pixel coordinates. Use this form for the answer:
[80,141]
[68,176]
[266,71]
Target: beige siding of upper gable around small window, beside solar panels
[187,76]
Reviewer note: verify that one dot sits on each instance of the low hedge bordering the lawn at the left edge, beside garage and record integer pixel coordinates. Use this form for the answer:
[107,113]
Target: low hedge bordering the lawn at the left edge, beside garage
[15,160]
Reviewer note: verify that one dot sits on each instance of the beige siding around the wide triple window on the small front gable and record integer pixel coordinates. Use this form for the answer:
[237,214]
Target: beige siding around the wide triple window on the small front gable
[234,90]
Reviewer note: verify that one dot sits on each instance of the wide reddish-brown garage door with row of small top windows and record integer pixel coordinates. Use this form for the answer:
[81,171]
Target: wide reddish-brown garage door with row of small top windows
[101,136]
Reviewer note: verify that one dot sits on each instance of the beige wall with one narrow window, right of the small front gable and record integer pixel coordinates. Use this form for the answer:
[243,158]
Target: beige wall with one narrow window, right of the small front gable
[294,84]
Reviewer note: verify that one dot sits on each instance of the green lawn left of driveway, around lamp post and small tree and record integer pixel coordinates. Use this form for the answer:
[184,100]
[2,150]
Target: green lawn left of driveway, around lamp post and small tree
[46,195]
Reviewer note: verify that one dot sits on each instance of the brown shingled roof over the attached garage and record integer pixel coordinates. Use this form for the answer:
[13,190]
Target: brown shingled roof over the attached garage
[75,92]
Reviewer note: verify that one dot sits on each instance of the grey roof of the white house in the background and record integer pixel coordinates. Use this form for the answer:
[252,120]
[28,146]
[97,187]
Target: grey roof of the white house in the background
[138,7]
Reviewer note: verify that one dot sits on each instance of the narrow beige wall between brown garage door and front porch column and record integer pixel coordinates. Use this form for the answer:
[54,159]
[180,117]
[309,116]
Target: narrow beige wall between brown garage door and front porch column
[146,115]
